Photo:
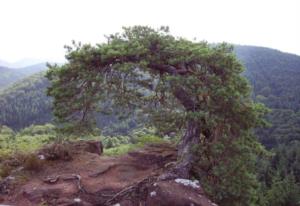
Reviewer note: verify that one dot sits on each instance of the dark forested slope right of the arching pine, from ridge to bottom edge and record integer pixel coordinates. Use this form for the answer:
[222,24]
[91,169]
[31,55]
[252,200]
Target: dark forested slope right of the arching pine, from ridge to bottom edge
[275,77]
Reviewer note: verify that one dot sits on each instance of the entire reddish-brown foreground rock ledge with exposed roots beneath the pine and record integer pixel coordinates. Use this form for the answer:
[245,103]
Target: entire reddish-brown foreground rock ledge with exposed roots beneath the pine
[89,179]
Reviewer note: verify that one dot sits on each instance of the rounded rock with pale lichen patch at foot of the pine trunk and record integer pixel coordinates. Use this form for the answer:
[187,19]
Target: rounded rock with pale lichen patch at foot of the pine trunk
[184,193]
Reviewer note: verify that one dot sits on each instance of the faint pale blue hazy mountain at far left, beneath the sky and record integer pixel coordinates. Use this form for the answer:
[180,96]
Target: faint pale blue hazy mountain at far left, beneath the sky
[8,76]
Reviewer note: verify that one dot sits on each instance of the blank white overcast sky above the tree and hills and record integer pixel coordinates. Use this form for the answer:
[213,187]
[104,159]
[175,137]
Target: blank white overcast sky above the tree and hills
[40,28]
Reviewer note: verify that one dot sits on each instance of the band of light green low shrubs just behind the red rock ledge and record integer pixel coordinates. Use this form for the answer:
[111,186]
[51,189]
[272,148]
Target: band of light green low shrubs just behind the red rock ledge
[20,147]
